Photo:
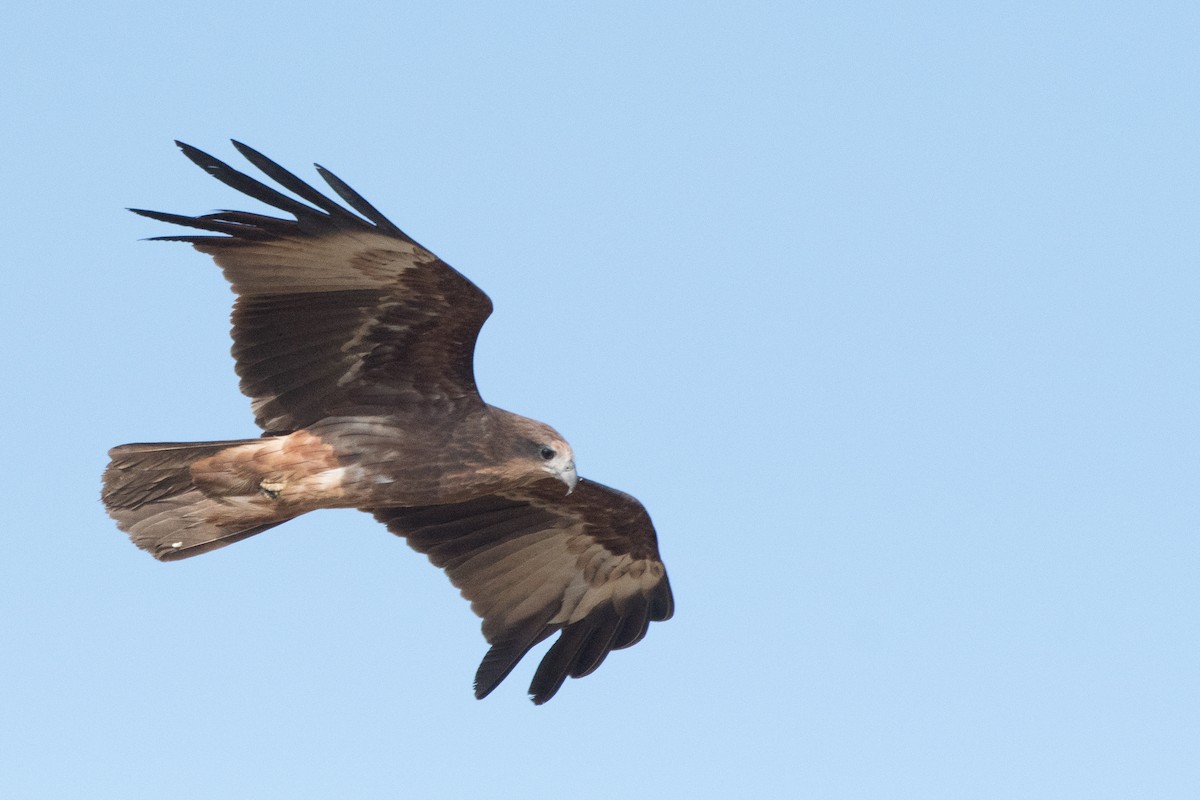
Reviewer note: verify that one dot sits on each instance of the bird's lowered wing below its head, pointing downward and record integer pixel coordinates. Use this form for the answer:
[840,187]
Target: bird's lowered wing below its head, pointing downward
[537,562]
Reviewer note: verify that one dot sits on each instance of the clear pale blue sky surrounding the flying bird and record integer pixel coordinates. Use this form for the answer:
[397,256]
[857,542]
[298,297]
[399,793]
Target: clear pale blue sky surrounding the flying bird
[889,314]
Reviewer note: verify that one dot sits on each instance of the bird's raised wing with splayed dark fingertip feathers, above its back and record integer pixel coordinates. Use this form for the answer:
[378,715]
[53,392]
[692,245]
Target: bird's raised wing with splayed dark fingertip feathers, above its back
[337,314]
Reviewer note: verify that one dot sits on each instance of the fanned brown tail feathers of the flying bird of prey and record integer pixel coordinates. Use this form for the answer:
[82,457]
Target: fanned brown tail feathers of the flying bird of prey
[149,492]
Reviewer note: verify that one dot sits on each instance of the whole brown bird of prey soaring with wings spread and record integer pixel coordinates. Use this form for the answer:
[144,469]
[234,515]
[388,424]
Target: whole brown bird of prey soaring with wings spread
[356,346]
